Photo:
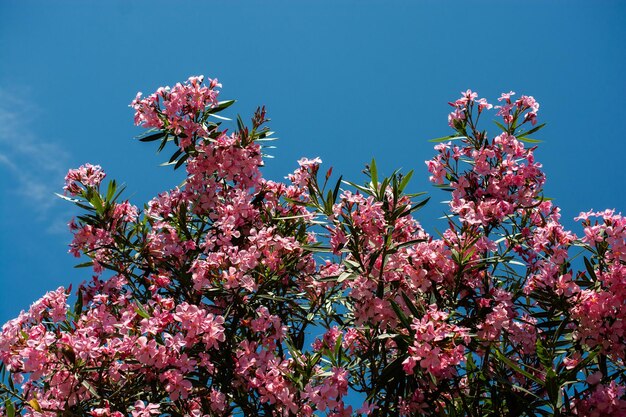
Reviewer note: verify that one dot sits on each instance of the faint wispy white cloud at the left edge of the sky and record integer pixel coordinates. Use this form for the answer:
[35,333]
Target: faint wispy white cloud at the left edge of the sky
[35,164]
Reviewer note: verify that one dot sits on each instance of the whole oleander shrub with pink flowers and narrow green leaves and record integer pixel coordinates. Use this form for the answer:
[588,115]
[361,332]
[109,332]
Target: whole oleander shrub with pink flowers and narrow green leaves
[236,295]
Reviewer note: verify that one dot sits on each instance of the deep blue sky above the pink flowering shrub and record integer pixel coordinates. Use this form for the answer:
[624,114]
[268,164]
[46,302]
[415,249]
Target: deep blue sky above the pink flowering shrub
[343,80]
